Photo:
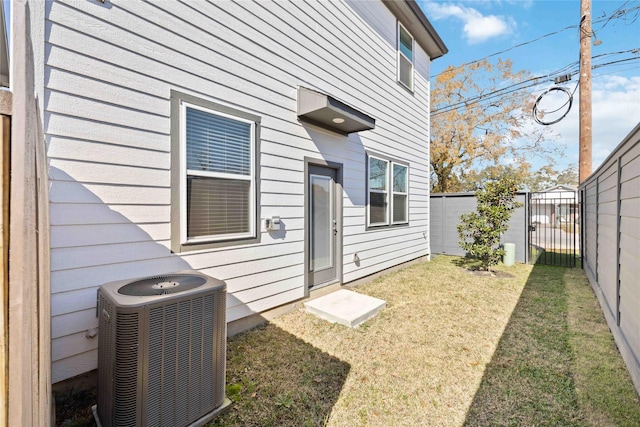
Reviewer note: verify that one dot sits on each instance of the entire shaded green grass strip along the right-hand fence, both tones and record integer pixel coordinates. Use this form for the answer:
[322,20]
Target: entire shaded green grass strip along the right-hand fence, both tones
[541,372]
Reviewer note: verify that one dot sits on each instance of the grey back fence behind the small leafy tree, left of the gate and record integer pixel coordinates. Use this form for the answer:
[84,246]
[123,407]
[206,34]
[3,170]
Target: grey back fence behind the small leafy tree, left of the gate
[445,217]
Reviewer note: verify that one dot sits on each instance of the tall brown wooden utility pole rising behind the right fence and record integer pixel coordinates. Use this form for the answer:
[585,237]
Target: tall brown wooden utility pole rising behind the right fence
[584,169]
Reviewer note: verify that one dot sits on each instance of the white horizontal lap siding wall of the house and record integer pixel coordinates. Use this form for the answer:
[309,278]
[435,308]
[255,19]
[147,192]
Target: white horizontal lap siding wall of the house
[109,72]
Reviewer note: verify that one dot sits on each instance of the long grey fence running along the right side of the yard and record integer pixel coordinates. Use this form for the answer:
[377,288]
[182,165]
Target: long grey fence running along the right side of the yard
[611,241]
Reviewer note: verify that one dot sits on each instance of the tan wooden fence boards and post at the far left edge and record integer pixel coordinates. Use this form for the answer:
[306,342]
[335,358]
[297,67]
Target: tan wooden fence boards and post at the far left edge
[26,318]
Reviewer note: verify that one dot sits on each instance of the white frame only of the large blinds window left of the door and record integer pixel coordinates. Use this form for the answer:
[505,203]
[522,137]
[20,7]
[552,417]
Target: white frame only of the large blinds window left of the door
[184,172]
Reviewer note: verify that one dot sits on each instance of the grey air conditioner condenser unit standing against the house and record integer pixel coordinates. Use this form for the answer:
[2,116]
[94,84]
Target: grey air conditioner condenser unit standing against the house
[161,350]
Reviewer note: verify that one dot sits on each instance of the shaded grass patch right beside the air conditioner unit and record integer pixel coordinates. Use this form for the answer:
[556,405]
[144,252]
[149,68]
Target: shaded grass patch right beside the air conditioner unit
[277,379]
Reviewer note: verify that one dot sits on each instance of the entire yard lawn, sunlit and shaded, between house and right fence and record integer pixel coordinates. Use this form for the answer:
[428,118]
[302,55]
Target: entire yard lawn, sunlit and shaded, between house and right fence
[526,347]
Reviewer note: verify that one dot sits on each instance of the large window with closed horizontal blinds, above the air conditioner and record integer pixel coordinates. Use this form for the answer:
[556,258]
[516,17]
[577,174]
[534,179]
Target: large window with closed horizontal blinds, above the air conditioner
[218,191]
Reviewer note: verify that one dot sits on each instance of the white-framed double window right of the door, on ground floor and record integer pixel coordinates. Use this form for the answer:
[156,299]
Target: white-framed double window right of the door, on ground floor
[388,192]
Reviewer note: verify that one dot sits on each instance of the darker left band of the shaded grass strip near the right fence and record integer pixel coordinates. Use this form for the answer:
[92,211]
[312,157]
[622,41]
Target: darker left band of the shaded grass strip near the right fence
[529,380]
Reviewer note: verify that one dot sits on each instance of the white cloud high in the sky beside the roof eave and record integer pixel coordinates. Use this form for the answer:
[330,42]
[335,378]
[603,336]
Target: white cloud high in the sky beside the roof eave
[477,27]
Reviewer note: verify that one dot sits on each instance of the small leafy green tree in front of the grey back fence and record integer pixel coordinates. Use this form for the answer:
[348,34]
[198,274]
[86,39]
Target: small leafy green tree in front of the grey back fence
[480,231]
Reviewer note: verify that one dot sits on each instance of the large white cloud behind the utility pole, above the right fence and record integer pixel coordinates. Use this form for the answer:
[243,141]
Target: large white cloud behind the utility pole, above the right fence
[615,113]
